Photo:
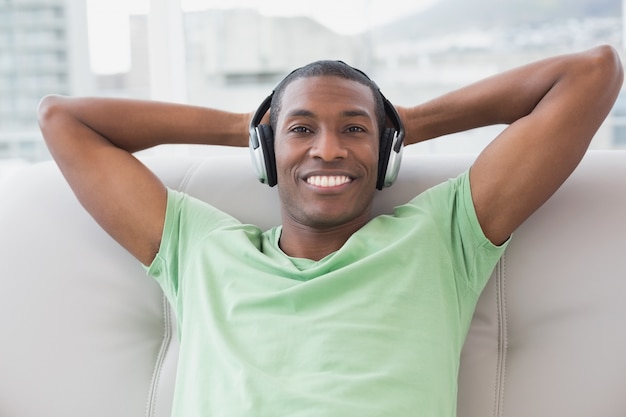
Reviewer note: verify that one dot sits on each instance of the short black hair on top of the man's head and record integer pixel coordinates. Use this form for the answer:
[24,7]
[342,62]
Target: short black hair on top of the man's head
[328,68]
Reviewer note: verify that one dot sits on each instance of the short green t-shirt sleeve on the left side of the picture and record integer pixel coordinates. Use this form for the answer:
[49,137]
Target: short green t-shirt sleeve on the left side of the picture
[187,221]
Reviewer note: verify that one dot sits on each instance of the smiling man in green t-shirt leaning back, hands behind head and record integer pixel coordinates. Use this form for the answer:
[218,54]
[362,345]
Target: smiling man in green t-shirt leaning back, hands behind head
[332,313]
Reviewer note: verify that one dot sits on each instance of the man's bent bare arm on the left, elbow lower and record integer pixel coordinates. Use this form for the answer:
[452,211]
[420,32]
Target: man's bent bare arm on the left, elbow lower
[92,140]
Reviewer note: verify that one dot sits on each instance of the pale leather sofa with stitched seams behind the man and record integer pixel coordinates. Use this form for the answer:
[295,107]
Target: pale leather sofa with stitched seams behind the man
[86,333]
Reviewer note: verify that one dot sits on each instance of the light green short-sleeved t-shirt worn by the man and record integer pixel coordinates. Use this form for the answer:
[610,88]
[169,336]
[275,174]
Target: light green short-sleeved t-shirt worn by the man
[374,329]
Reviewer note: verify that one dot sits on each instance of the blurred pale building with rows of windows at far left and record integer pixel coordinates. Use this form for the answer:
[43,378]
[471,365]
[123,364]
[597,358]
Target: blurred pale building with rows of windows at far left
[43,50]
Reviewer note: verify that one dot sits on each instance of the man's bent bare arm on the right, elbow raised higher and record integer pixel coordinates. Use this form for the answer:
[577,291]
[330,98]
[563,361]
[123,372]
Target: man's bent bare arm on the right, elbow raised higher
[553,108]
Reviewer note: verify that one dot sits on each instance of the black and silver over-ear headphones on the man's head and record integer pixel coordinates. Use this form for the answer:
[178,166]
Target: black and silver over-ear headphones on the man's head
[262,145]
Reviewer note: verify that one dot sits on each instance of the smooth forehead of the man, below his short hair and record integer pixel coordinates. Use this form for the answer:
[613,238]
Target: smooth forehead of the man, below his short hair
[325,93]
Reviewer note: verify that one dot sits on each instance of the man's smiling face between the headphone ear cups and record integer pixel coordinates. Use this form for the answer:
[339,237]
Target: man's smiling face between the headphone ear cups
[326,145]
